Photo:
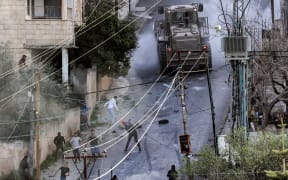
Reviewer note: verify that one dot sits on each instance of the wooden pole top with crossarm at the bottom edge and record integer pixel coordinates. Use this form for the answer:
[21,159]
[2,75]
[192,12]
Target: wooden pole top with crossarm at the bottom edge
[85,157]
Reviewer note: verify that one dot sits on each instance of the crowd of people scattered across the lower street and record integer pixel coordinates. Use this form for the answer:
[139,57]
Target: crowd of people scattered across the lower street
[60,142]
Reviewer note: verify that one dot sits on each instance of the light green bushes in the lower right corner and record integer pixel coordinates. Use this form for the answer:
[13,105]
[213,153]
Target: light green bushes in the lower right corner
[247,159]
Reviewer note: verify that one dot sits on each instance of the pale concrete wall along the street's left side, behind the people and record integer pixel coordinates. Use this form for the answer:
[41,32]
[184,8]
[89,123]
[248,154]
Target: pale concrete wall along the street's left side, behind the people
[12,152]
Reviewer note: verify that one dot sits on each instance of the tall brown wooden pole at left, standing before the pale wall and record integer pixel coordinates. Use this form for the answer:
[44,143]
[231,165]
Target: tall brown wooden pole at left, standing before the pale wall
[37,124]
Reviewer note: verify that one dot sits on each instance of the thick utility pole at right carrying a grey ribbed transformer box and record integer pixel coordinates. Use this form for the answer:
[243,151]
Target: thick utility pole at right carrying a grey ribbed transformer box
[236,50]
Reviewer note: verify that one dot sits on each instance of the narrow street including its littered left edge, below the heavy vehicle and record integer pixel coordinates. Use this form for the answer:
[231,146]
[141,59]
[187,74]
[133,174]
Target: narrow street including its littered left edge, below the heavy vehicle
[160,145]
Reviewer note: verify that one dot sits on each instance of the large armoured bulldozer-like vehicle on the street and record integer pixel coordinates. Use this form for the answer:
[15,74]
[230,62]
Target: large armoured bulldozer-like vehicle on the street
[180,31]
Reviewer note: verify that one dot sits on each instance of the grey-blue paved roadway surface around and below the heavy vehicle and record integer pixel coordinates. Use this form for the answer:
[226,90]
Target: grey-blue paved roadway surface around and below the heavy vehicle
[160,146]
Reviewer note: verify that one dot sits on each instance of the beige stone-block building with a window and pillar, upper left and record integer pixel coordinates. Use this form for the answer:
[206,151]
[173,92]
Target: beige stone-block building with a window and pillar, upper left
[39,29]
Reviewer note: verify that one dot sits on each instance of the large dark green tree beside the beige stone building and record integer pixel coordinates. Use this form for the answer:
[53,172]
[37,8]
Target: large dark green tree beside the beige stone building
[111,57]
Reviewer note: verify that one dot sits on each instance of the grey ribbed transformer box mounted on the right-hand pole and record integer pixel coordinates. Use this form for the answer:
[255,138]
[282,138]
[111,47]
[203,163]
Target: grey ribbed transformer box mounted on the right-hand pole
[235,45]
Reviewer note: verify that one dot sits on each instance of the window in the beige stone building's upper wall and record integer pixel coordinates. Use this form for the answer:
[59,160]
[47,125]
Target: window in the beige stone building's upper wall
[46,9]
